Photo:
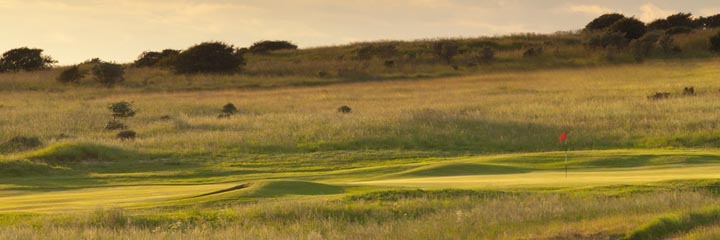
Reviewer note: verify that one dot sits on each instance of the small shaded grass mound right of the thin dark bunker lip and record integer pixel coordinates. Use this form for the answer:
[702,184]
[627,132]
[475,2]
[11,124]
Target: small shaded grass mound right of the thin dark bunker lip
[286,187]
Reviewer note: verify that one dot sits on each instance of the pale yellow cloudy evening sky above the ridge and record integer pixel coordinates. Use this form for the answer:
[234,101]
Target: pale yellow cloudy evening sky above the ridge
[119,30]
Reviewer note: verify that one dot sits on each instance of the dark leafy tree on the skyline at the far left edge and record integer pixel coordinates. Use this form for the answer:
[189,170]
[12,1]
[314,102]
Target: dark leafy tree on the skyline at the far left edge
[27,59]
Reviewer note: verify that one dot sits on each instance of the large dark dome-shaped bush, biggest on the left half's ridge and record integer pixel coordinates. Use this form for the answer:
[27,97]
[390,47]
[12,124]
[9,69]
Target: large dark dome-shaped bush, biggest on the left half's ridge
[209,57]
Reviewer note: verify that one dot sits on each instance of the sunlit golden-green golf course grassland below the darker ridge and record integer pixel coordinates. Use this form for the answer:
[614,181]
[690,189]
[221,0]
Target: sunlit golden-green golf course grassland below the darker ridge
[469,156]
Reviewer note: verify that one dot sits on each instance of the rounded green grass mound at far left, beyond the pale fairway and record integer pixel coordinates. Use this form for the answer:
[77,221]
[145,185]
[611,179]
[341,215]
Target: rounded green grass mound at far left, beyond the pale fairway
[81,152]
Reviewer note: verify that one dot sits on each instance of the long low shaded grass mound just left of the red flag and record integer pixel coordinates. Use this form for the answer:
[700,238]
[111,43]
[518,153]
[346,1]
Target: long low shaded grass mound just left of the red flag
[461,169]
